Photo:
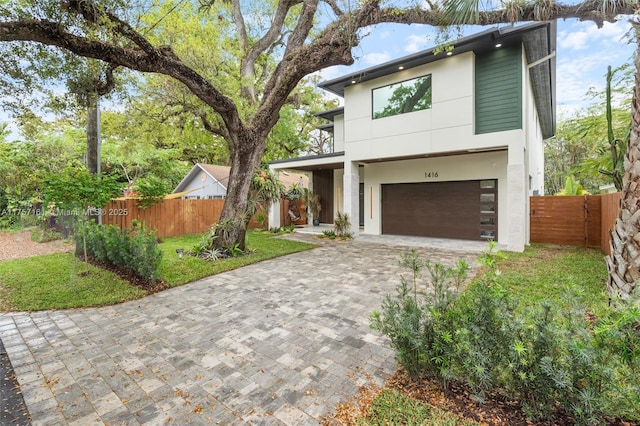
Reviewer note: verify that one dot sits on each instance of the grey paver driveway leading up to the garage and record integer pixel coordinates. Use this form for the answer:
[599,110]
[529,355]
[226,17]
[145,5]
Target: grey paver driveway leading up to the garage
[278,342]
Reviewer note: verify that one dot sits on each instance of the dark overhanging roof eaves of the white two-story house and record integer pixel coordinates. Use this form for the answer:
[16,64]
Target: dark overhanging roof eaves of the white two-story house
[539,39]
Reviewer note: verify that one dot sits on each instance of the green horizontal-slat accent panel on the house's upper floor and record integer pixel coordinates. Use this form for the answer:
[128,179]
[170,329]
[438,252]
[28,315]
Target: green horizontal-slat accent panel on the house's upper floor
[499,90]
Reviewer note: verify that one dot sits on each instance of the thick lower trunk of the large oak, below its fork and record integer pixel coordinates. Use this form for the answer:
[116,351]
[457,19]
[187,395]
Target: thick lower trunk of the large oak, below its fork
[234,219]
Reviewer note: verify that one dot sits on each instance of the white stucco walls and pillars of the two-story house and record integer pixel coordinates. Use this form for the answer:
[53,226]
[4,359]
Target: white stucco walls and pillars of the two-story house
[438,144]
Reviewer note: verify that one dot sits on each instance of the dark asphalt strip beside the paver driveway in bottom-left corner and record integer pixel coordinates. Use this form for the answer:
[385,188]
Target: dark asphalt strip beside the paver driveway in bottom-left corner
[13,409]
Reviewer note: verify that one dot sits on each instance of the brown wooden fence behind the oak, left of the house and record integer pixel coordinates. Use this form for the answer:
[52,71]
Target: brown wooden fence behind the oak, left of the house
[169,218]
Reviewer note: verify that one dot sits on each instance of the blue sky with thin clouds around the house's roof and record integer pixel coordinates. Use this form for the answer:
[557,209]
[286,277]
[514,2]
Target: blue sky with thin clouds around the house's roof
[583,54]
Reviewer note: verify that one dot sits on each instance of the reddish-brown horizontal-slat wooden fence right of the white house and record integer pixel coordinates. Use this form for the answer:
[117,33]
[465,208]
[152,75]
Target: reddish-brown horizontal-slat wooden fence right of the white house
[581,220]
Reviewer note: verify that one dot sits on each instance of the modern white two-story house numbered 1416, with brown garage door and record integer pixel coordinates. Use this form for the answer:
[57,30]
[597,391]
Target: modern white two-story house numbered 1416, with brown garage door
[442,143]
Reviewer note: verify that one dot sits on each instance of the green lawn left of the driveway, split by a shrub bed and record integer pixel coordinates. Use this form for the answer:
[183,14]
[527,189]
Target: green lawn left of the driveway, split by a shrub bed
[60,281]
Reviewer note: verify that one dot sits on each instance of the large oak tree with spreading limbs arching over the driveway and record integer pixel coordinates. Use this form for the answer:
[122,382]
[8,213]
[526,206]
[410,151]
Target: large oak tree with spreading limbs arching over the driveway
[304,35]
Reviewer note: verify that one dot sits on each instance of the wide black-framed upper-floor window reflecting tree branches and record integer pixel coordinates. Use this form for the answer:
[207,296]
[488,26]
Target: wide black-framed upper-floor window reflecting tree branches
[399,98]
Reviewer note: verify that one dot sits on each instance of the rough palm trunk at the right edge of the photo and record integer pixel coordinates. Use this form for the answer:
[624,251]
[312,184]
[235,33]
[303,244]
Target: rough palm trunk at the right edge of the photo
[624,261]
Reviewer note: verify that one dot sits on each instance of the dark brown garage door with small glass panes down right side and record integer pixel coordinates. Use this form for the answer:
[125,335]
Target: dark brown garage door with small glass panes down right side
[465,210]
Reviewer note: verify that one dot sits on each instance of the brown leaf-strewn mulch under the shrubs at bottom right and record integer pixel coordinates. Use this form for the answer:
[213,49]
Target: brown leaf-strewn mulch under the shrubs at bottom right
[495,411]
